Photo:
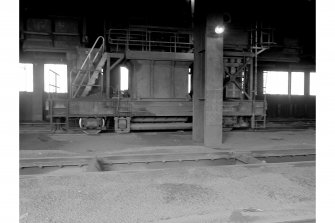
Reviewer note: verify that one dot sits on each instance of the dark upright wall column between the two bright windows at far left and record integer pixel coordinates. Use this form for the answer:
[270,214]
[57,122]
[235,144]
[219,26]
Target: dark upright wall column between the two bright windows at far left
[38,77]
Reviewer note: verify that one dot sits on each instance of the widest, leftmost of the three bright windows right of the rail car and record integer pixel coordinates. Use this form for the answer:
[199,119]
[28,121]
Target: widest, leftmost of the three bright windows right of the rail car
[275,82]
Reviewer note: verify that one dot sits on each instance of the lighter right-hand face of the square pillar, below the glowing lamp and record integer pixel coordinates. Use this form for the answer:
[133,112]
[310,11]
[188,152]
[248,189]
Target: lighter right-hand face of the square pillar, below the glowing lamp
[213,82]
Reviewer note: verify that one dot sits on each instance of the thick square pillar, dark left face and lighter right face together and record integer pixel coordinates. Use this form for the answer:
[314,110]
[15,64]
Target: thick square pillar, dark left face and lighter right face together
[207,79]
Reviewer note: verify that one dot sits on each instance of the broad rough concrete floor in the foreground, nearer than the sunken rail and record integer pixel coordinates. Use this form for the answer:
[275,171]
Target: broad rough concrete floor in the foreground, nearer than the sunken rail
[269,193]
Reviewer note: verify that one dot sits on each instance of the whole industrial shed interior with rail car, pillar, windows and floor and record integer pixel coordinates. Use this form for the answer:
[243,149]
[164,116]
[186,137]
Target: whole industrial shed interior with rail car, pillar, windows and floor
[167,111]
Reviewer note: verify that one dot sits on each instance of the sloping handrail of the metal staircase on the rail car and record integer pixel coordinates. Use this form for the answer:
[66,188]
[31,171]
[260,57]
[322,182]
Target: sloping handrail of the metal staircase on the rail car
[87,67]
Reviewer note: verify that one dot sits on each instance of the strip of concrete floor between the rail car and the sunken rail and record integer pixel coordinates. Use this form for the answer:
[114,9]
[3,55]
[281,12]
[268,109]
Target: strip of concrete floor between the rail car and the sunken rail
[50,145]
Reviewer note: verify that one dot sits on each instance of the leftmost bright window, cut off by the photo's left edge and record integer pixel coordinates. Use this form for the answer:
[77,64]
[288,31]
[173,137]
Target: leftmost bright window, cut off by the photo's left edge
[26,77]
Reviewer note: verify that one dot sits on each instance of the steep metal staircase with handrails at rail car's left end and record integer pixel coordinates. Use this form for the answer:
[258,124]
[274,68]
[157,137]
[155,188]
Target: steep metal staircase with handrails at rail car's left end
[89,71]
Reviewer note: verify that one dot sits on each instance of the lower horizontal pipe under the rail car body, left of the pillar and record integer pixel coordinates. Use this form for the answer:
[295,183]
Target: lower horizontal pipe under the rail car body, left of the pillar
[160,126]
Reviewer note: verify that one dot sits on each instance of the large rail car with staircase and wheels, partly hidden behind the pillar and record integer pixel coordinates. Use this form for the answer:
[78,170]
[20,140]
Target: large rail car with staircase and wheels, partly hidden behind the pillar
[158,96]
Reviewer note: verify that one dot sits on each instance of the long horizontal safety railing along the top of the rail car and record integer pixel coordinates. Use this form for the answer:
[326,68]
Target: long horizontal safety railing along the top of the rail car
[150,39]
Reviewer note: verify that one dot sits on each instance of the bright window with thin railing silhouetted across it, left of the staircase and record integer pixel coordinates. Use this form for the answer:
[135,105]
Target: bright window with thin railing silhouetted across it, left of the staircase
[55,78]
